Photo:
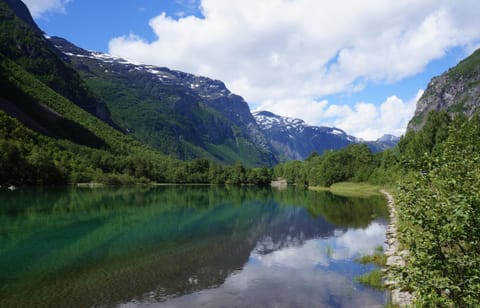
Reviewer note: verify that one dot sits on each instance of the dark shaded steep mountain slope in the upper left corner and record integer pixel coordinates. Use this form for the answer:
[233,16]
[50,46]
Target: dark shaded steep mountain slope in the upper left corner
[23,42]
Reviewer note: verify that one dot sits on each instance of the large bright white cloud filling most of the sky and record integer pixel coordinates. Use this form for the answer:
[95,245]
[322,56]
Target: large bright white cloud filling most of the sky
[285,54]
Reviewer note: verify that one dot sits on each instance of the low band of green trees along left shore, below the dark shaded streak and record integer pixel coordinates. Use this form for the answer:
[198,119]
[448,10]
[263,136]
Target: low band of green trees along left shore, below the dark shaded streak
[28,158]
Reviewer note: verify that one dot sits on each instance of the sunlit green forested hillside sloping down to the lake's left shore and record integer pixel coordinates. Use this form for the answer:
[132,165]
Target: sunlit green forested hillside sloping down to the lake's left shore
[95,152]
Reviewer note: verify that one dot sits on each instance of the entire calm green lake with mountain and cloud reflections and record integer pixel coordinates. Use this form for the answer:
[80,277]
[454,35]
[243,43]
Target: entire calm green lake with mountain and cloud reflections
[186,247]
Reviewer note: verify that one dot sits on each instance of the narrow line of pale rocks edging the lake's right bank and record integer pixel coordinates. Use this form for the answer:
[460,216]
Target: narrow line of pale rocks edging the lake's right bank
[395,257]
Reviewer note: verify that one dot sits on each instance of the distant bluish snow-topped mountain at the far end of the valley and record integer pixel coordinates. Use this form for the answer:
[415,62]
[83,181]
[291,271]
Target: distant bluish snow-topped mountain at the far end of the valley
[293,139]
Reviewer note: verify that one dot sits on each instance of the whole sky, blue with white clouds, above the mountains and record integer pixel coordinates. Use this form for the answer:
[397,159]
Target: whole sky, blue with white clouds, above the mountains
[359,65]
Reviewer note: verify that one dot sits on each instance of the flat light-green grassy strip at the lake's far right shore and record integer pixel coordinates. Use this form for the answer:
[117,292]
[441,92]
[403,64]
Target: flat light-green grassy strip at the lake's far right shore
[350,189]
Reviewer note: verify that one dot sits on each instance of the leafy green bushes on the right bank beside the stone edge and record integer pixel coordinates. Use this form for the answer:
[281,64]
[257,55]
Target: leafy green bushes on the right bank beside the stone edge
[440,210]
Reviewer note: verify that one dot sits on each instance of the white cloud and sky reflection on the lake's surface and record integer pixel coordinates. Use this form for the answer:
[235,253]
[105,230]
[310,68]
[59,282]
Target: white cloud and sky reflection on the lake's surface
[300,273]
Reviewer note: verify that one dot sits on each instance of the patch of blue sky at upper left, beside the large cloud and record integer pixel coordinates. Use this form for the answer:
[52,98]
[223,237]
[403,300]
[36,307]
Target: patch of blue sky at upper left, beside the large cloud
[91,24]
